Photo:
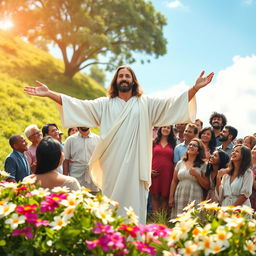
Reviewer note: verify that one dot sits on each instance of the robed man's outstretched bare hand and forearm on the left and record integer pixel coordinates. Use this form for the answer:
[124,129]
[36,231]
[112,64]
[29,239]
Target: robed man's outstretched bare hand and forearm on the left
[43,91]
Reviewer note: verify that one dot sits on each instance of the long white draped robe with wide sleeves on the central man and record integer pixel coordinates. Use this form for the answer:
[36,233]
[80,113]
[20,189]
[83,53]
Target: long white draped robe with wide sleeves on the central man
[121,163]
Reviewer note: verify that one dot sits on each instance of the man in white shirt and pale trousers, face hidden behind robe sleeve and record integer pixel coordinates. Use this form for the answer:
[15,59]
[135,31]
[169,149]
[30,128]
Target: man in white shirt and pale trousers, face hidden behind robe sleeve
[78,150]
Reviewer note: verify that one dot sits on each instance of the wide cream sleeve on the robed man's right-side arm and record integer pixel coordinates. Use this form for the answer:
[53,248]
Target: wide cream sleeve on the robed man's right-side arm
[171,110]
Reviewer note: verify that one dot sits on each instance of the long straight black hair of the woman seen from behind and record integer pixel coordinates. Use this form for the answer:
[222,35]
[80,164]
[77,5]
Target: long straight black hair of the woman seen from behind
[48,154]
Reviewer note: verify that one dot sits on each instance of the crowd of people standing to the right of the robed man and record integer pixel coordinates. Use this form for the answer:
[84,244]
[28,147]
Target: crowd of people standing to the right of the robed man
[203,163]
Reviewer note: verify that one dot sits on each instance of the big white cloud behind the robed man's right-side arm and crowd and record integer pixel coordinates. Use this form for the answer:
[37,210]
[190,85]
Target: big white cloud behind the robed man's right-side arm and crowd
[232,92]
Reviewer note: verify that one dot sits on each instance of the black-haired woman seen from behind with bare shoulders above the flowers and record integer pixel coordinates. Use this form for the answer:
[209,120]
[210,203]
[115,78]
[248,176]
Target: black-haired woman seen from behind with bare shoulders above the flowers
[49,156]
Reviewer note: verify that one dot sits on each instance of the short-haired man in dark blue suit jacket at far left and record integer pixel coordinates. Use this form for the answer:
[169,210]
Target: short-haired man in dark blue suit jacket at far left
[16,163]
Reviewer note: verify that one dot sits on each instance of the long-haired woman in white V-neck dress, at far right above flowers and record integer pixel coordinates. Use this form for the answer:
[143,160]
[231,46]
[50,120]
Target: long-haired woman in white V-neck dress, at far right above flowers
[235,187]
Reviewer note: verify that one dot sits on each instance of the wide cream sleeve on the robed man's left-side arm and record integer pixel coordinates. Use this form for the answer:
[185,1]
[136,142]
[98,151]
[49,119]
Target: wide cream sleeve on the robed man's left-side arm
[79,113]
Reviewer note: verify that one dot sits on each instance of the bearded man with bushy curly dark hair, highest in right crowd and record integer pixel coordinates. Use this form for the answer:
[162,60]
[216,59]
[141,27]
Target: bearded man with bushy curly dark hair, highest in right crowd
[217,121]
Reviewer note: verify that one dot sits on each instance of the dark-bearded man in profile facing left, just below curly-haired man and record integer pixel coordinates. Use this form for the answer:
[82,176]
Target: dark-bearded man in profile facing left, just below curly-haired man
[227,135]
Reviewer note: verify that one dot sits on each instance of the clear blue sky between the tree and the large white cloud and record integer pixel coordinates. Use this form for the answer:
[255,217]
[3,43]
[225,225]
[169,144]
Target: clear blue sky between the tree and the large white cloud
[202,35]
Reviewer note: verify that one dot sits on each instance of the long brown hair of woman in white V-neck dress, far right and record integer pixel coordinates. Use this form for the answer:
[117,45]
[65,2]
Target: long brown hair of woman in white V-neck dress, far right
[245,162]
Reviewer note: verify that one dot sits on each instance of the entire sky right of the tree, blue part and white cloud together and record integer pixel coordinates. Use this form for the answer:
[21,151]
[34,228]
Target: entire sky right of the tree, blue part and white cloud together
[210,35]
